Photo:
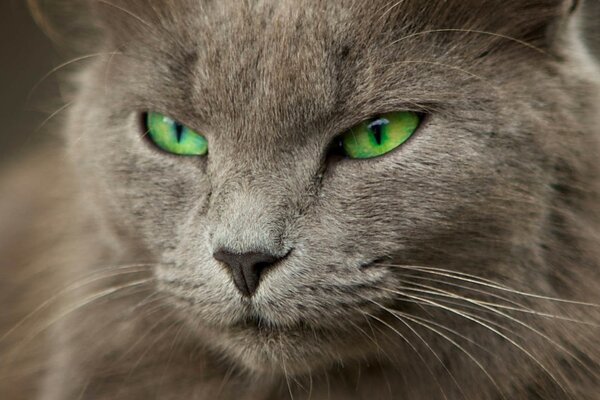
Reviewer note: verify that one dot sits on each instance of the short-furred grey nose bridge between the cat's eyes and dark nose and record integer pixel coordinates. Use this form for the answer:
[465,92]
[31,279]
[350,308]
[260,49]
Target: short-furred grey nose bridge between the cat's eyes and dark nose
[255,200]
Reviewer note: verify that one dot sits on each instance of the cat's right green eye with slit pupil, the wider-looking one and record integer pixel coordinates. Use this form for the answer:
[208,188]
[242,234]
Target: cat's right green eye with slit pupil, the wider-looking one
[379,135]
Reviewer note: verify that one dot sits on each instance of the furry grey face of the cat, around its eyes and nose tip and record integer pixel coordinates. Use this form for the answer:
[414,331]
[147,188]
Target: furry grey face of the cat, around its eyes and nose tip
[270,86]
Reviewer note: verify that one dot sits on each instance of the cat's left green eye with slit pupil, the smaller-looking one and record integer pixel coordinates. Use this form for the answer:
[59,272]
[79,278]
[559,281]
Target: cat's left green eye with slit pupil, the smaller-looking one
[173,137]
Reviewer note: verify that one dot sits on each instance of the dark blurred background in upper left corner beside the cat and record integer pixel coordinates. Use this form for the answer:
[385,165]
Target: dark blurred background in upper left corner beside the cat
[26,55]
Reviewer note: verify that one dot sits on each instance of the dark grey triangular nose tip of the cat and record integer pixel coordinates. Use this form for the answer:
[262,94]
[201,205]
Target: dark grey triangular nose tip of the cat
[246,268]
